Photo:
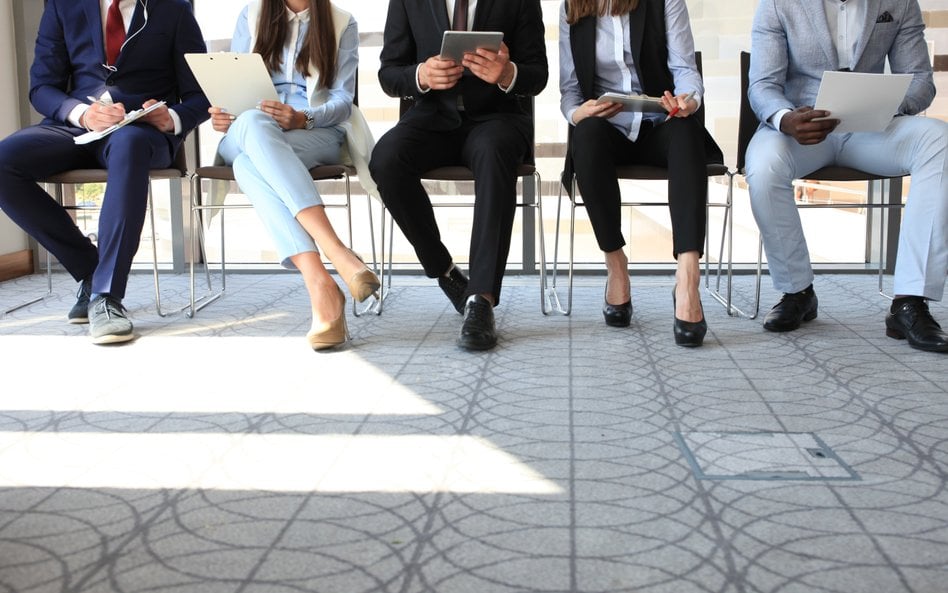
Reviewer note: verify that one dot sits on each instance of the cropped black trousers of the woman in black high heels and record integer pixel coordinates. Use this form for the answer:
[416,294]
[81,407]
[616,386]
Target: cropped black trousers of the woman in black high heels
[597,147]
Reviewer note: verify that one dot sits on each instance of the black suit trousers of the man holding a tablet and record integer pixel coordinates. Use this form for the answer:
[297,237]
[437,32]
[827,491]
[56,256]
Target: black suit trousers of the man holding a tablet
[492,148]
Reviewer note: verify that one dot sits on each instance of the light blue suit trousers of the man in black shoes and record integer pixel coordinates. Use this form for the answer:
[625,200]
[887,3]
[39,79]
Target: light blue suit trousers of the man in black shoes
[915,146]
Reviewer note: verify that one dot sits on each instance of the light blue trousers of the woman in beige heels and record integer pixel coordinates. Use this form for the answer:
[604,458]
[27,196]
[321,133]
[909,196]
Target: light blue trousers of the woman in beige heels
[272,168]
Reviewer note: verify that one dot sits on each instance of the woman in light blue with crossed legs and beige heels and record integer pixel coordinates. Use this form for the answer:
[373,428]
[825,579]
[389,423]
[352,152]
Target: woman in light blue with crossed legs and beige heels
[311,50]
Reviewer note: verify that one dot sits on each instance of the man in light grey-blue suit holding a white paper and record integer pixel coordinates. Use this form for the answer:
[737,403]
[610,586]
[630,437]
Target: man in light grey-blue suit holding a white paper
[793,43]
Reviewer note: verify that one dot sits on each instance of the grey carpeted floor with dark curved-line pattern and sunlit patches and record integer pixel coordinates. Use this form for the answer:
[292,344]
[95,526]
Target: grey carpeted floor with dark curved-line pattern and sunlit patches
[219,454]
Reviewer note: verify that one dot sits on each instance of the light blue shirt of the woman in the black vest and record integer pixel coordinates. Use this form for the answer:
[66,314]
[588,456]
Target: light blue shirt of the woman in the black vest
[615,69]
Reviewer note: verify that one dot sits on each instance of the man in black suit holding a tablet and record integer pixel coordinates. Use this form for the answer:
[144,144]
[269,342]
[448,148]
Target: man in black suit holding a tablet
[464,113]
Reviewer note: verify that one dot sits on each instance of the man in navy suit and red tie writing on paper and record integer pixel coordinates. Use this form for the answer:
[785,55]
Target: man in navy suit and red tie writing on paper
[94,62]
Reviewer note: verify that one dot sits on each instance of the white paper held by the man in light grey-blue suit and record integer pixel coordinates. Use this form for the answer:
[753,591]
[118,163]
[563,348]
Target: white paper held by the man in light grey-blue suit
[862,102]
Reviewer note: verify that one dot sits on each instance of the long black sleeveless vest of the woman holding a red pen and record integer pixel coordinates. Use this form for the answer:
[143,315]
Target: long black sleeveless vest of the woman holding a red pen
[650,55]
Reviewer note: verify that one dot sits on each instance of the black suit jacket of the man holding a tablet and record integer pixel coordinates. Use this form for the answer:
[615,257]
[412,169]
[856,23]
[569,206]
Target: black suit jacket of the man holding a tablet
[413,31]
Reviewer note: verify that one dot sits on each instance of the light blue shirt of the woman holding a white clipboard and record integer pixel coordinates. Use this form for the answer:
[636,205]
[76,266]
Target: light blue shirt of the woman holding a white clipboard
[291,84]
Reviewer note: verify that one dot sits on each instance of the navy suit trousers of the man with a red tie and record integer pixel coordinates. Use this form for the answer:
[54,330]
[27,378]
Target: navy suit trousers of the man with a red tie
[43,150]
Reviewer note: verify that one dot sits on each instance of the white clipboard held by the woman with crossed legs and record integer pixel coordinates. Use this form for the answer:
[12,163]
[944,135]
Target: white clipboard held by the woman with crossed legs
[232,81]
